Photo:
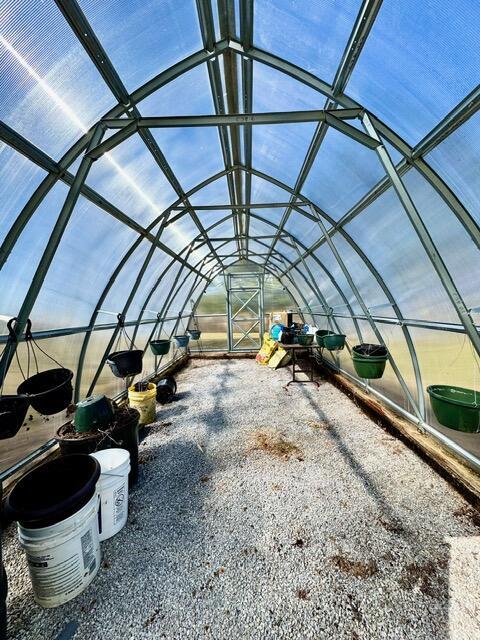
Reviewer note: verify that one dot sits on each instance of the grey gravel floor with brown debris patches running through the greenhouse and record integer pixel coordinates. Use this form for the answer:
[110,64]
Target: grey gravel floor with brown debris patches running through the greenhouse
[346,536]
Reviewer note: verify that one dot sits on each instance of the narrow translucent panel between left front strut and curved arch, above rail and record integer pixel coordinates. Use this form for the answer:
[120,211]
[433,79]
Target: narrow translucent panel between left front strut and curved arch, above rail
[17,273]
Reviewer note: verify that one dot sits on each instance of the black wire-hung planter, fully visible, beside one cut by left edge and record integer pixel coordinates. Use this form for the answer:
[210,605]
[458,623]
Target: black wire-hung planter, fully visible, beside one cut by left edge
[49,391]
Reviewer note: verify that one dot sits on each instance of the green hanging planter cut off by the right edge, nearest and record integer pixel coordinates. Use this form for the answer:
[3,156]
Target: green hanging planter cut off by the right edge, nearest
[456,407]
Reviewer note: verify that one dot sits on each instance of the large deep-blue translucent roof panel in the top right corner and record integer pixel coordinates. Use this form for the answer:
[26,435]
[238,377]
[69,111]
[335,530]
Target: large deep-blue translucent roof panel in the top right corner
[418,62]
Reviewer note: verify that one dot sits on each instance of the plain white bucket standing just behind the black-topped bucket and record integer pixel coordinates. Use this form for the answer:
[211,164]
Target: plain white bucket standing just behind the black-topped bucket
[113,487]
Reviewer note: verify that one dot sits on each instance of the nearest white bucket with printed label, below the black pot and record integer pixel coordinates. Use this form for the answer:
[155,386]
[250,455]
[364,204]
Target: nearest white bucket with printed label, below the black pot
[64,558]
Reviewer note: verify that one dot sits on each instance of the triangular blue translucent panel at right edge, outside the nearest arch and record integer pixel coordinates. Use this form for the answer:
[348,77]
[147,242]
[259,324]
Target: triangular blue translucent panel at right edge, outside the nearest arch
[457,161]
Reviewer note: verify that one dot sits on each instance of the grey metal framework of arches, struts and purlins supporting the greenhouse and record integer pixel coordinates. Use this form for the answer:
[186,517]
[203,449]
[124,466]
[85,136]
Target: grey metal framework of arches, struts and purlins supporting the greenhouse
[232,49]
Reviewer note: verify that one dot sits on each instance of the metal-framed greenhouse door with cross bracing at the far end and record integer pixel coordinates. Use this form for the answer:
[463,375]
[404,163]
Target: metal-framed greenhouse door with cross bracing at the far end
[245,311]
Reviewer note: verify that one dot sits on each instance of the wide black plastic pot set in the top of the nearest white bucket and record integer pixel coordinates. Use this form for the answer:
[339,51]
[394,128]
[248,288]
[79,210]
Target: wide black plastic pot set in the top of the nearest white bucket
[53,491]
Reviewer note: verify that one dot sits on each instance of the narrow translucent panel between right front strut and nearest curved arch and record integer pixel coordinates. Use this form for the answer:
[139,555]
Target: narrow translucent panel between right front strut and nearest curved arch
[456,247]
